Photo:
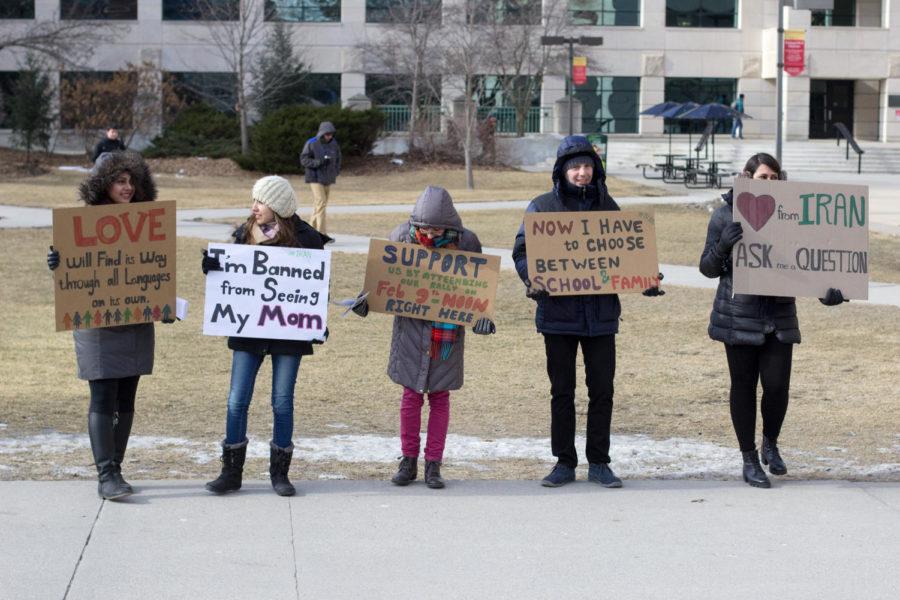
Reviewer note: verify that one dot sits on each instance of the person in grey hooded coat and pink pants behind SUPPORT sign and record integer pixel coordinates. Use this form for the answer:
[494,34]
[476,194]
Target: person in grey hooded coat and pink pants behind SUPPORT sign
[427,356]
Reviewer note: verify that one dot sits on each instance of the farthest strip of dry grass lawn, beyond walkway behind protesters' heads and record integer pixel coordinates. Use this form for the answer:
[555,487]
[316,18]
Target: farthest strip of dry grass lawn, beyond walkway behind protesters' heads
[58,189]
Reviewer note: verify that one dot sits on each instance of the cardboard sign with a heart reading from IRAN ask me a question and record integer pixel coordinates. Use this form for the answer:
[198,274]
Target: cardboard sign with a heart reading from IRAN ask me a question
[801,238]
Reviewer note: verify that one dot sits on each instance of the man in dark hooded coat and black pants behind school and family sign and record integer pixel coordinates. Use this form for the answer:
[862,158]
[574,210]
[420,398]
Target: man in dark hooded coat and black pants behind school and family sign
[589,320]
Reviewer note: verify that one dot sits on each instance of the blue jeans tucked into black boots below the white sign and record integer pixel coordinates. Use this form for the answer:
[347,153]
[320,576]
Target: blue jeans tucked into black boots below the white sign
[244,367]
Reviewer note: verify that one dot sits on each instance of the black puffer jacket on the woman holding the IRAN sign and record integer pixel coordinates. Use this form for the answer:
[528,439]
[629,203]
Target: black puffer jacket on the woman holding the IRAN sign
[742,319]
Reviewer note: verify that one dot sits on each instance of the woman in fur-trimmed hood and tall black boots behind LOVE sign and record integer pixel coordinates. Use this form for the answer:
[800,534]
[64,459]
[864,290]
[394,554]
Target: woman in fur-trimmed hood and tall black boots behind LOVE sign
[112,359]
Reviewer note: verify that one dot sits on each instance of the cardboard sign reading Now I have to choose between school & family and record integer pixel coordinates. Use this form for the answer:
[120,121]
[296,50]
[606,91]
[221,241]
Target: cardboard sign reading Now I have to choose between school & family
[594,252]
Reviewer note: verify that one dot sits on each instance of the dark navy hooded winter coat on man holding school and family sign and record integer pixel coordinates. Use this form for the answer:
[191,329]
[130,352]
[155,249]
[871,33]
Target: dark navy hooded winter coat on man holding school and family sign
[584,315]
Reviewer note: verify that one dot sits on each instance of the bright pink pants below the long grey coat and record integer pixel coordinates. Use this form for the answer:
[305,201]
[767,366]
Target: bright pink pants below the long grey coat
[411,423]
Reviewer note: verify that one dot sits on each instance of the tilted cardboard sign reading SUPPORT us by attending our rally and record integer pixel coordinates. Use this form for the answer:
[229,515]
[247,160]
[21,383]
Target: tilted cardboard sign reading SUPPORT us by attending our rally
[432,284]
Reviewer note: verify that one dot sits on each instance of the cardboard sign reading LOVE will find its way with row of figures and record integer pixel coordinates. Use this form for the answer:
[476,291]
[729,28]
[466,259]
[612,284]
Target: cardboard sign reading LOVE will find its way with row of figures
[117,264]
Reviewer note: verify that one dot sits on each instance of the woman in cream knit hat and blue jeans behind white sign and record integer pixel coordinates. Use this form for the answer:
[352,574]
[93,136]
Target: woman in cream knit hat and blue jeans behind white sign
[272,222]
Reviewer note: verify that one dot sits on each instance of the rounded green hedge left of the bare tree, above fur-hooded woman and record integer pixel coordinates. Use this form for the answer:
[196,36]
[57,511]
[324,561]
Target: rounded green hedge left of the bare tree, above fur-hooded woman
[199,130]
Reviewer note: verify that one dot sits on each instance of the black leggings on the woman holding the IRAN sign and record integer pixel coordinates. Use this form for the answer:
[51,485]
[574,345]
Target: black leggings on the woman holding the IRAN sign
[771,364]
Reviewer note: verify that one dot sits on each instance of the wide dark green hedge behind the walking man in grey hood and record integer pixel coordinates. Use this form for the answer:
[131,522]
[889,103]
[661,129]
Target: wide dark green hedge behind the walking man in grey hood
[277,140]
